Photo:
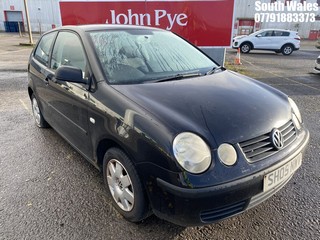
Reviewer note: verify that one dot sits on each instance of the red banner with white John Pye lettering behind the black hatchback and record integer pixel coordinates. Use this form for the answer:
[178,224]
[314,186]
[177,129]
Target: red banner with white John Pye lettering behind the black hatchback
[204,23]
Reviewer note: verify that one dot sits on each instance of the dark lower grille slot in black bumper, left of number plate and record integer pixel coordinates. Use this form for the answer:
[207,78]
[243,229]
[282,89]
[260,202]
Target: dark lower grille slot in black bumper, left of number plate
[221,213]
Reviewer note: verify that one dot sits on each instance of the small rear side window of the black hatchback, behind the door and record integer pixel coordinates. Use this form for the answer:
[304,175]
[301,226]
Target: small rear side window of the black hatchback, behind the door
[43,49]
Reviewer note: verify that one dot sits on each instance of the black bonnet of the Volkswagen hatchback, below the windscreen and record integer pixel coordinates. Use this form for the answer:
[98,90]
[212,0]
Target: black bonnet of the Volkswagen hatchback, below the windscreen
[232,107]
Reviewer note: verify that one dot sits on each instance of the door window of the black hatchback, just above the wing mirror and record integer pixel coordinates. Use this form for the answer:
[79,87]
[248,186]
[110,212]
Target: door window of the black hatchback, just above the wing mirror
[68,50]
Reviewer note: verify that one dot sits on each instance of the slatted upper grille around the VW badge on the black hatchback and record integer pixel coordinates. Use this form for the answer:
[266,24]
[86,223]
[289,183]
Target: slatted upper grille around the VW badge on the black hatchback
[261,147]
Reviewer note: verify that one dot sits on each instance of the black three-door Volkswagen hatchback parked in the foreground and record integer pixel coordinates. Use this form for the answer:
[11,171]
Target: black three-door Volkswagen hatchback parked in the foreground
[173,133]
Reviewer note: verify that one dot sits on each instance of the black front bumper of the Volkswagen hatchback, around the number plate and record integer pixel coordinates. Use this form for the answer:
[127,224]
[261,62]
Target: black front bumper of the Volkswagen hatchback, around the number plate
[190,207]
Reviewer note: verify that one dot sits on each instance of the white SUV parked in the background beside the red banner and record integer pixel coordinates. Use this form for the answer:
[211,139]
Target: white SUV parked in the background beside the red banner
[278,40]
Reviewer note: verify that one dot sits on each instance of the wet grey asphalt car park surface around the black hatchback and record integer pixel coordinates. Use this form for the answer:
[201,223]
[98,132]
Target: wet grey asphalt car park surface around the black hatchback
[48,191]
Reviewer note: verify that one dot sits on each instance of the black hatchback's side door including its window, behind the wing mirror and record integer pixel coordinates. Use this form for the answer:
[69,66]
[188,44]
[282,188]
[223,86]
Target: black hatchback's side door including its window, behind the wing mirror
[69,101]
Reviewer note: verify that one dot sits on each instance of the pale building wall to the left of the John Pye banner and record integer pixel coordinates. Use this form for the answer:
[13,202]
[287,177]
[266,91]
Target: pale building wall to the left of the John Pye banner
[43,13]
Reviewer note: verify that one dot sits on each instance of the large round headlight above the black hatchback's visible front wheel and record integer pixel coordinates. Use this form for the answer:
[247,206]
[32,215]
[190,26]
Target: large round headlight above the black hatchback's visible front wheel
[191,152]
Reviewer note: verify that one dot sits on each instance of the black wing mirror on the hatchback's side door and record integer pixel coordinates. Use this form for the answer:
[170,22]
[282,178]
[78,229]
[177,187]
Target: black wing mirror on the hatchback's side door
[70,74]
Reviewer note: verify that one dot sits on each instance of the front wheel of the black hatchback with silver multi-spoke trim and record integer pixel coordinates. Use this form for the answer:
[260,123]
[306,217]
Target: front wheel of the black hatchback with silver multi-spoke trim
[124,185]
